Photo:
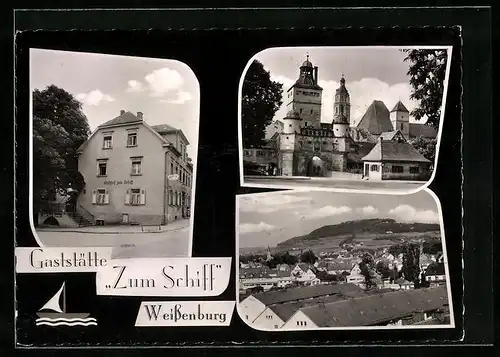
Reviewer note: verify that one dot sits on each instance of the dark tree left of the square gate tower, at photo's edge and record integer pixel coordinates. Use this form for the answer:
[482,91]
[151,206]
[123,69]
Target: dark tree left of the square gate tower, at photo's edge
[261,99]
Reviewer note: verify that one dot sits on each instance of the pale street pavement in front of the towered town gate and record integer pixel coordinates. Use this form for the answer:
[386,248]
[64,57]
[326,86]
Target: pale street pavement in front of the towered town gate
[323,182]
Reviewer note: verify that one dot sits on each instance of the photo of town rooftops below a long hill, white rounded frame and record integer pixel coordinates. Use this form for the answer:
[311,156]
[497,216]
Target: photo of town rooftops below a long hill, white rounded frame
[316,260]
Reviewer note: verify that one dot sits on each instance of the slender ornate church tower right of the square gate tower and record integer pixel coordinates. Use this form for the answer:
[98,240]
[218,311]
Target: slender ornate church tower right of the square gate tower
[341,116]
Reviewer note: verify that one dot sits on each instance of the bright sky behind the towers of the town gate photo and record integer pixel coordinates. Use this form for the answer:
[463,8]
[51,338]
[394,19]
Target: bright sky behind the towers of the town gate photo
[376,73]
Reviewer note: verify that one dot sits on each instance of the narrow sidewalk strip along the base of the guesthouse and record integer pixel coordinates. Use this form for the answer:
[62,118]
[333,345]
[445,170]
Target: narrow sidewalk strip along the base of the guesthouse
[123,229]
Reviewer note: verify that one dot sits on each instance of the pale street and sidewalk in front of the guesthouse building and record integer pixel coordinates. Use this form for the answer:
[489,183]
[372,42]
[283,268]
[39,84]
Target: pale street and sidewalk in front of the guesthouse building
[172,240]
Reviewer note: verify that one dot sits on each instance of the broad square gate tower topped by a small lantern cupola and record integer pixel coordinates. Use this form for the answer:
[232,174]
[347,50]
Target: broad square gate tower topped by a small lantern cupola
[303,98]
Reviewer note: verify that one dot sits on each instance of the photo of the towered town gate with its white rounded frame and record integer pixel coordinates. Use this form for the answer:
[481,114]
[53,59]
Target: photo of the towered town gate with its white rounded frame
[346,119]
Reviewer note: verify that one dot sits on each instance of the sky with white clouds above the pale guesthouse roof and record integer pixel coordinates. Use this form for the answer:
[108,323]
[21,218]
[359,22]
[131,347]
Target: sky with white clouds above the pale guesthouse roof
[166,91]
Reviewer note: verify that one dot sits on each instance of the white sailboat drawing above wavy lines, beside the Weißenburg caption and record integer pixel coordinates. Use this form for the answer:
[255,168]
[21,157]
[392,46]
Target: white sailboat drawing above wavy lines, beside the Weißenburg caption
[59,316]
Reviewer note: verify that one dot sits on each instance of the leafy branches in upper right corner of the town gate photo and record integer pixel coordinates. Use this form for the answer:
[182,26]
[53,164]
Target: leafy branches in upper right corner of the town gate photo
[427,72]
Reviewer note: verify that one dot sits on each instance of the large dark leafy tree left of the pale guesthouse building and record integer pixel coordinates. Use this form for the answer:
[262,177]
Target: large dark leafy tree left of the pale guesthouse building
[59,128]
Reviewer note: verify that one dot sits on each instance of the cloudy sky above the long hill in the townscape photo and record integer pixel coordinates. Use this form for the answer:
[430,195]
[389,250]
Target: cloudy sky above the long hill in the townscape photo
[268,219]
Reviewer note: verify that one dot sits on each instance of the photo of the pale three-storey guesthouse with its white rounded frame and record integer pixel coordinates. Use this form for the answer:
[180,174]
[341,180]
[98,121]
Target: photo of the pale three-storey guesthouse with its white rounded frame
[113,151]
